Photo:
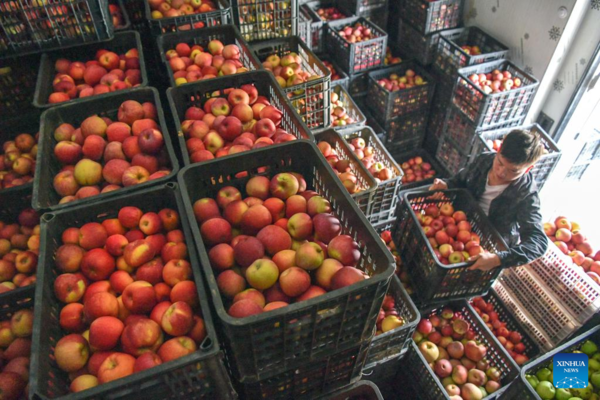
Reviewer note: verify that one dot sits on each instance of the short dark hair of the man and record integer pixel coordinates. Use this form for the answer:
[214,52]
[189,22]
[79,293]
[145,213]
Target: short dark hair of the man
[522,147]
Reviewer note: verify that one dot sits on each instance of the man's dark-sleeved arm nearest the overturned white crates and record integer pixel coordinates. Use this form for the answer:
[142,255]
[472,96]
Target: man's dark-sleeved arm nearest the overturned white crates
[534,242]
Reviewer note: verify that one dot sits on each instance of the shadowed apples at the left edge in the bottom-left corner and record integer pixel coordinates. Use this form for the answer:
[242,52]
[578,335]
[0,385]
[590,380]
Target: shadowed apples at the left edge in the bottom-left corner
[15,345]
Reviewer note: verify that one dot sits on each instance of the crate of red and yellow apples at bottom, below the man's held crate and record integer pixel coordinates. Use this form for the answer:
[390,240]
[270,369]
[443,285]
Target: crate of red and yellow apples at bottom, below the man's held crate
[455,355]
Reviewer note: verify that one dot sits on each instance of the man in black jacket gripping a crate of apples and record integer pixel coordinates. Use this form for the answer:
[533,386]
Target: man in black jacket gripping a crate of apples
[507,193]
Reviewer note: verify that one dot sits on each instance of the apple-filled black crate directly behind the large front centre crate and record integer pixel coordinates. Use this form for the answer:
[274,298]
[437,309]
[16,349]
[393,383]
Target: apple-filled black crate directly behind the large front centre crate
[248,114]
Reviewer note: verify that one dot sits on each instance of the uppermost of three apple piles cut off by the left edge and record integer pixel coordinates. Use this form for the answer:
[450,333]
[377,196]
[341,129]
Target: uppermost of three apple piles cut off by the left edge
[17,160]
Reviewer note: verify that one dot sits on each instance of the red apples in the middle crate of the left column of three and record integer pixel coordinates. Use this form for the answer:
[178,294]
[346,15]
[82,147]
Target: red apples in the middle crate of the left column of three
[104,155]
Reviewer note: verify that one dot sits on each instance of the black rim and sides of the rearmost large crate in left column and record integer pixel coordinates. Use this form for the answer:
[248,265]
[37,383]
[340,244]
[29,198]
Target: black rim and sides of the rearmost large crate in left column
[122,42]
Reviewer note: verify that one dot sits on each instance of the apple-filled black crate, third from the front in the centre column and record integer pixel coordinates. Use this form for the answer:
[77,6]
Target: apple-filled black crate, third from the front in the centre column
[205,54]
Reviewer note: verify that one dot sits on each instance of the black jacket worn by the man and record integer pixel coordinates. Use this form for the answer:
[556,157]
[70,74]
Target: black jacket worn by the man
[515,213]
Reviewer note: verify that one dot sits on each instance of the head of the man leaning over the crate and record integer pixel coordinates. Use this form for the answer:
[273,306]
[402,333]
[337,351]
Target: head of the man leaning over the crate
[520,151]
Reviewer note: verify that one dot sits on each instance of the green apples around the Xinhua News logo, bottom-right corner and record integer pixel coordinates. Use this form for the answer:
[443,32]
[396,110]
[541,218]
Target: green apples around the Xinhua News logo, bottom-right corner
[542,381]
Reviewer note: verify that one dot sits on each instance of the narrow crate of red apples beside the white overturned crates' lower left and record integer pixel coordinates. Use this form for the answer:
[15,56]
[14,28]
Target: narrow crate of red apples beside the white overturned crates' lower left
[501,322]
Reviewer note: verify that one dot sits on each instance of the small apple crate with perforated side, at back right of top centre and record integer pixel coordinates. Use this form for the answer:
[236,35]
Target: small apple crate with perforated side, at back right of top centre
[356,57]
